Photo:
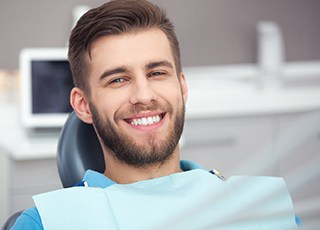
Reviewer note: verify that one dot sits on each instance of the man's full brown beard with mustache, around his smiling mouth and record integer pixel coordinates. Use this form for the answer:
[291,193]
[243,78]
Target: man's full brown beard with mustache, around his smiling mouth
[125,149]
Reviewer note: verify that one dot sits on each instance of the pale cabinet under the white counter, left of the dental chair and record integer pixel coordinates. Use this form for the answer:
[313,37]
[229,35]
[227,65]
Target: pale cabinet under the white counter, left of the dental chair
[21,179]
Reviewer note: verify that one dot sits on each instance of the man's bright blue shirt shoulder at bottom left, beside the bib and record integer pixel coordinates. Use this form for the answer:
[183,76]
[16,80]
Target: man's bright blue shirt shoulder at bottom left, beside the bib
[29,219]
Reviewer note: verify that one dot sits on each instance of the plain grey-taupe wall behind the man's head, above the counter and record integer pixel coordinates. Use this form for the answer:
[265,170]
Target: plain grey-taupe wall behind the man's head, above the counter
[211,32]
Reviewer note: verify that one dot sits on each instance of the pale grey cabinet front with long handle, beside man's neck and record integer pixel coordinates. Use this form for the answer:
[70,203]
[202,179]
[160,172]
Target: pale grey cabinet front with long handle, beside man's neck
[233,146]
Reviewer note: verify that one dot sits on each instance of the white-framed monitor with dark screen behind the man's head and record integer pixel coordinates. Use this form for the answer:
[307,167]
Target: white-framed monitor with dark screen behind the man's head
[46,82]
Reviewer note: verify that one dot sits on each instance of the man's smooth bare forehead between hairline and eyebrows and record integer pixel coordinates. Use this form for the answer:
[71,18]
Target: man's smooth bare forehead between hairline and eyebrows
[130,49]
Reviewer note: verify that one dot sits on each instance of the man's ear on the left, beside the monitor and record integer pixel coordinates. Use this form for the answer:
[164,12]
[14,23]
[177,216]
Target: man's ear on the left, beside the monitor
[80,105]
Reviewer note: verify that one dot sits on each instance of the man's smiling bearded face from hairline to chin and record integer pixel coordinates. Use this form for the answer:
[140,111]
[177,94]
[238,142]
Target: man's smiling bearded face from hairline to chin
[137,99]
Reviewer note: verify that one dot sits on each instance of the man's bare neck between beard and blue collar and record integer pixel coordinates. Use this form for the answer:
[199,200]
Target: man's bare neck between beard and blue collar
[123,173]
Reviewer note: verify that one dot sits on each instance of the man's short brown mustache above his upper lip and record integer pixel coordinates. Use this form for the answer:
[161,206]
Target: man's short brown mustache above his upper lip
[153,106]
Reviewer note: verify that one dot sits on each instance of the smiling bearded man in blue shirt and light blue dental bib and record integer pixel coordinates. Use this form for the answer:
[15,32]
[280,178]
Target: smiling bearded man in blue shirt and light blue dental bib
[129,84]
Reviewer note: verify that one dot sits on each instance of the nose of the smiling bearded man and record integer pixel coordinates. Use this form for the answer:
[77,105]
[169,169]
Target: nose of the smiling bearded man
[143,92]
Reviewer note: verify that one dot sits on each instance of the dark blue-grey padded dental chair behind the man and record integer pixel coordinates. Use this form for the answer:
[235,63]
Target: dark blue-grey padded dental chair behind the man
[78,150]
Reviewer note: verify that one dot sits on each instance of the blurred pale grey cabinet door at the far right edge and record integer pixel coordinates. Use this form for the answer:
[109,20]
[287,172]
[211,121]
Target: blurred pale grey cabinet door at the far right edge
[298,144]
